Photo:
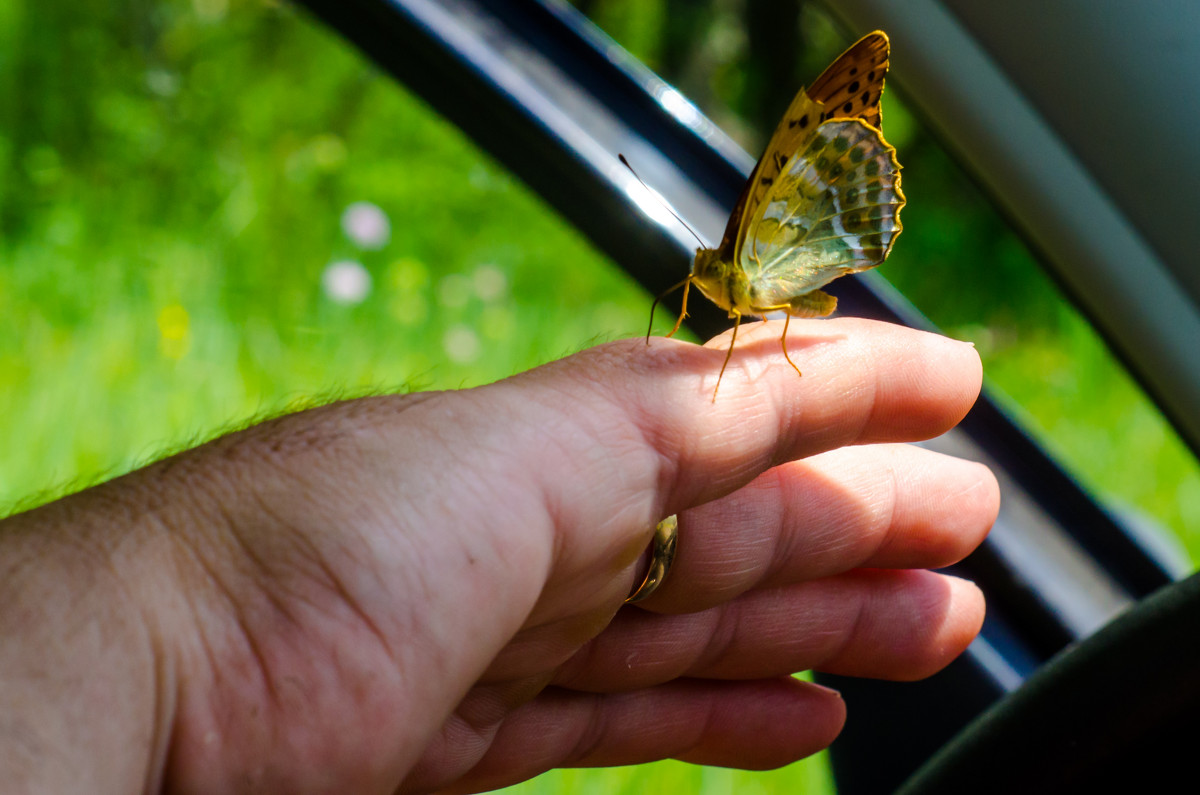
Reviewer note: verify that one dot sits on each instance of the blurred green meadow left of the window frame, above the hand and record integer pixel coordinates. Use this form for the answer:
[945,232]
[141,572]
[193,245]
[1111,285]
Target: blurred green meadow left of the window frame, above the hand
[175,178]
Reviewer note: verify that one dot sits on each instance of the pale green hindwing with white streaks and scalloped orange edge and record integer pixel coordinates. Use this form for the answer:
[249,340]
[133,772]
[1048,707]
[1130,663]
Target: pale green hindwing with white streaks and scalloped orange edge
[833,211]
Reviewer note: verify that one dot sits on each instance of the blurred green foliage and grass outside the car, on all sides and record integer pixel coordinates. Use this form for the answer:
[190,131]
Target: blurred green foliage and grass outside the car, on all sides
[212,211]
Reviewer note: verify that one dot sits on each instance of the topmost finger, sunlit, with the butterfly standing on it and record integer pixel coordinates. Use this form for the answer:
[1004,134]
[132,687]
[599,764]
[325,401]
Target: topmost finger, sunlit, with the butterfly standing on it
[865,381]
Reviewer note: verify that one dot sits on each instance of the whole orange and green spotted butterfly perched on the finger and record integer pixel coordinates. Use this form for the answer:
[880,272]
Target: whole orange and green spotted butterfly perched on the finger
[824,201]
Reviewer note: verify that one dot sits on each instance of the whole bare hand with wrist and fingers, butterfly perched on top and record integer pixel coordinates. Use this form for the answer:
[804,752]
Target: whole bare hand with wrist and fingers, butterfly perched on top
[425,593]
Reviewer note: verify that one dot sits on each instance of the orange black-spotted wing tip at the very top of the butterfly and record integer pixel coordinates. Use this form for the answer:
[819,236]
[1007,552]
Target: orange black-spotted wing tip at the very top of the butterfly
[853,86]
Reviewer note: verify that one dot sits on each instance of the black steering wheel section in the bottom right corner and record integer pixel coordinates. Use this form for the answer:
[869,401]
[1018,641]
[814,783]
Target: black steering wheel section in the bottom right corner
[1118,713]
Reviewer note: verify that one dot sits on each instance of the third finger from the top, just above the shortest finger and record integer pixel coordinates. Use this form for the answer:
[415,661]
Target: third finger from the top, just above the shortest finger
[899,625]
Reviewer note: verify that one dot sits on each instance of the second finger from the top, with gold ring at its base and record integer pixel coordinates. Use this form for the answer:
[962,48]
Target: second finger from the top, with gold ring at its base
[889,506]
